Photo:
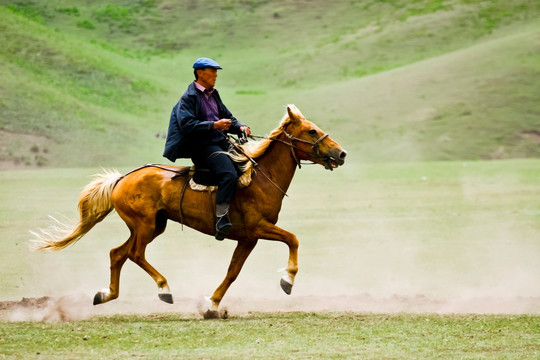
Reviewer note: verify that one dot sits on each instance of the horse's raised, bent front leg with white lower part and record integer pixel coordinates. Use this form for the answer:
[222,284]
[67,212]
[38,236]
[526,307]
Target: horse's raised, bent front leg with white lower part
[269,231]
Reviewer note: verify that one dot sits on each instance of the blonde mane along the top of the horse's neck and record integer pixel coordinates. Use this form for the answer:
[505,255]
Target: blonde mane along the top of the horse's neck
[255,149]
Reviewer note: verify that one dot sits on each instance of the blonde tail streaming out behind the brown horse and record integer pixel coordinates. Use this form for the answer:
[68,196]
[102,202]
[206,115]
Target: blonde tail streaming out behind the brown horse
[94,205]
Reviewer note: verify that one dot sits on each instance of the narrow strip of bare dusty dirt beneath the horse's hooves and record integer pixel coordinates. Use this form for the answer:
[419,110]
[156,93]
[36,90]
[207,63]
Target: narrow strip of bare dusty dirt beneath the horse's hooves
[77,307]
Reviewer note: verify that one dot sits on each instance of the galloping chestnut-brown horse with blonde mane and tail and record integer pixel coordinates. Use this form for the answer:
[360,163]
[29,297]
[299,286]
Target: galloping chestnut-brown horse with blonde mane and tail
[147,197]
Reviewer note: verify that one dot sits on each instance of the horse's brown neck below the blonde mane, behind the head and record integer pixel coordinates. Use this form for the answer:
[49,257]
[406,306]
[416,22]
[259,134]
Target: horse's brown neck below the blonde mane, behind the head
[278,163]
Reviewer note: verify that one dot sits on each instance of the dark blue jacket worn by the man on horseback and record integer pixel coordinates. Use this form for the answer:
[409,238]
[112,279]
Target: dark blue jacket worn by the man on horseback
[187,128]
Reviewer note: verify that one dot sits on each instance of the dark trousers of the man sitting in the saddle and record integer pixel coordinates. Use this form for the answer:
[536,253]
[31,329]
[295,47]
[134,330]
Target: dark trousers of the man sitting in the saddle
[222,169]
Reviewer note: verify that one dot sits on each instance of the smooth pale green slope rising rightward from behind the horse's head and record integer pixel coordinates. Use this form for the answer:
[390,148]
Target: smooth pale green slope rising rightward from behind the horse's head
[478,102]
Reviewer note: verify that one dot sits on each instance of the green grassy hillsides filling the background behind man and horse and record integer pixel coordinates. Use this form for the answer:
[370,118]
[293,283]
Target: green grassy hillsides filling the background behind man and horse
[92,84]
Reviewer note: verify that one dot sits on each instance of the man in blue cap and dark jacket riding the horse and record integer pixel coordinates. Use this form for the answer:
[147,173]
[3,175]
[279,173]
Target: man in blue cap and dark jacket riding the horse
[196,130]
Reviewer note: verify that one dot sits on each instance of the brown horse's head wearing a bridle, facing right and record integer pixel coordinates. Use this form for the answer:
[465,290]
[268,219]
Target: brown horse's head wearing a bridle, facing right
[310,143]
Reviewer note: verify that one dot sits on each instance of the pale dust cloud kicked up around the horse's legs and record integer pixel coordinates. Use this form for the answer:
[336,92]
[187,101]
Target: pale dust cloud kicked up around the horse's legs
[391,281]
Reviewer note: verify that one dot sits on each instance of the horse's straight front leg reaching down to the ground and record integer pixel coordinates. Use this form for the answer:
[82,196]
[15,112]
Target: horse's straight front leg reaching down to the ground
[242,251]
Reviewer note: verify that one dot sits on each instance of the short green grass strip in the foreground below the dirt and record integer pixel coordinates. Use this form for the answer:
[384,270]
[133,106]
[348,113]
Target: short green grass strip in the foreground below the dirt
[278,336]
